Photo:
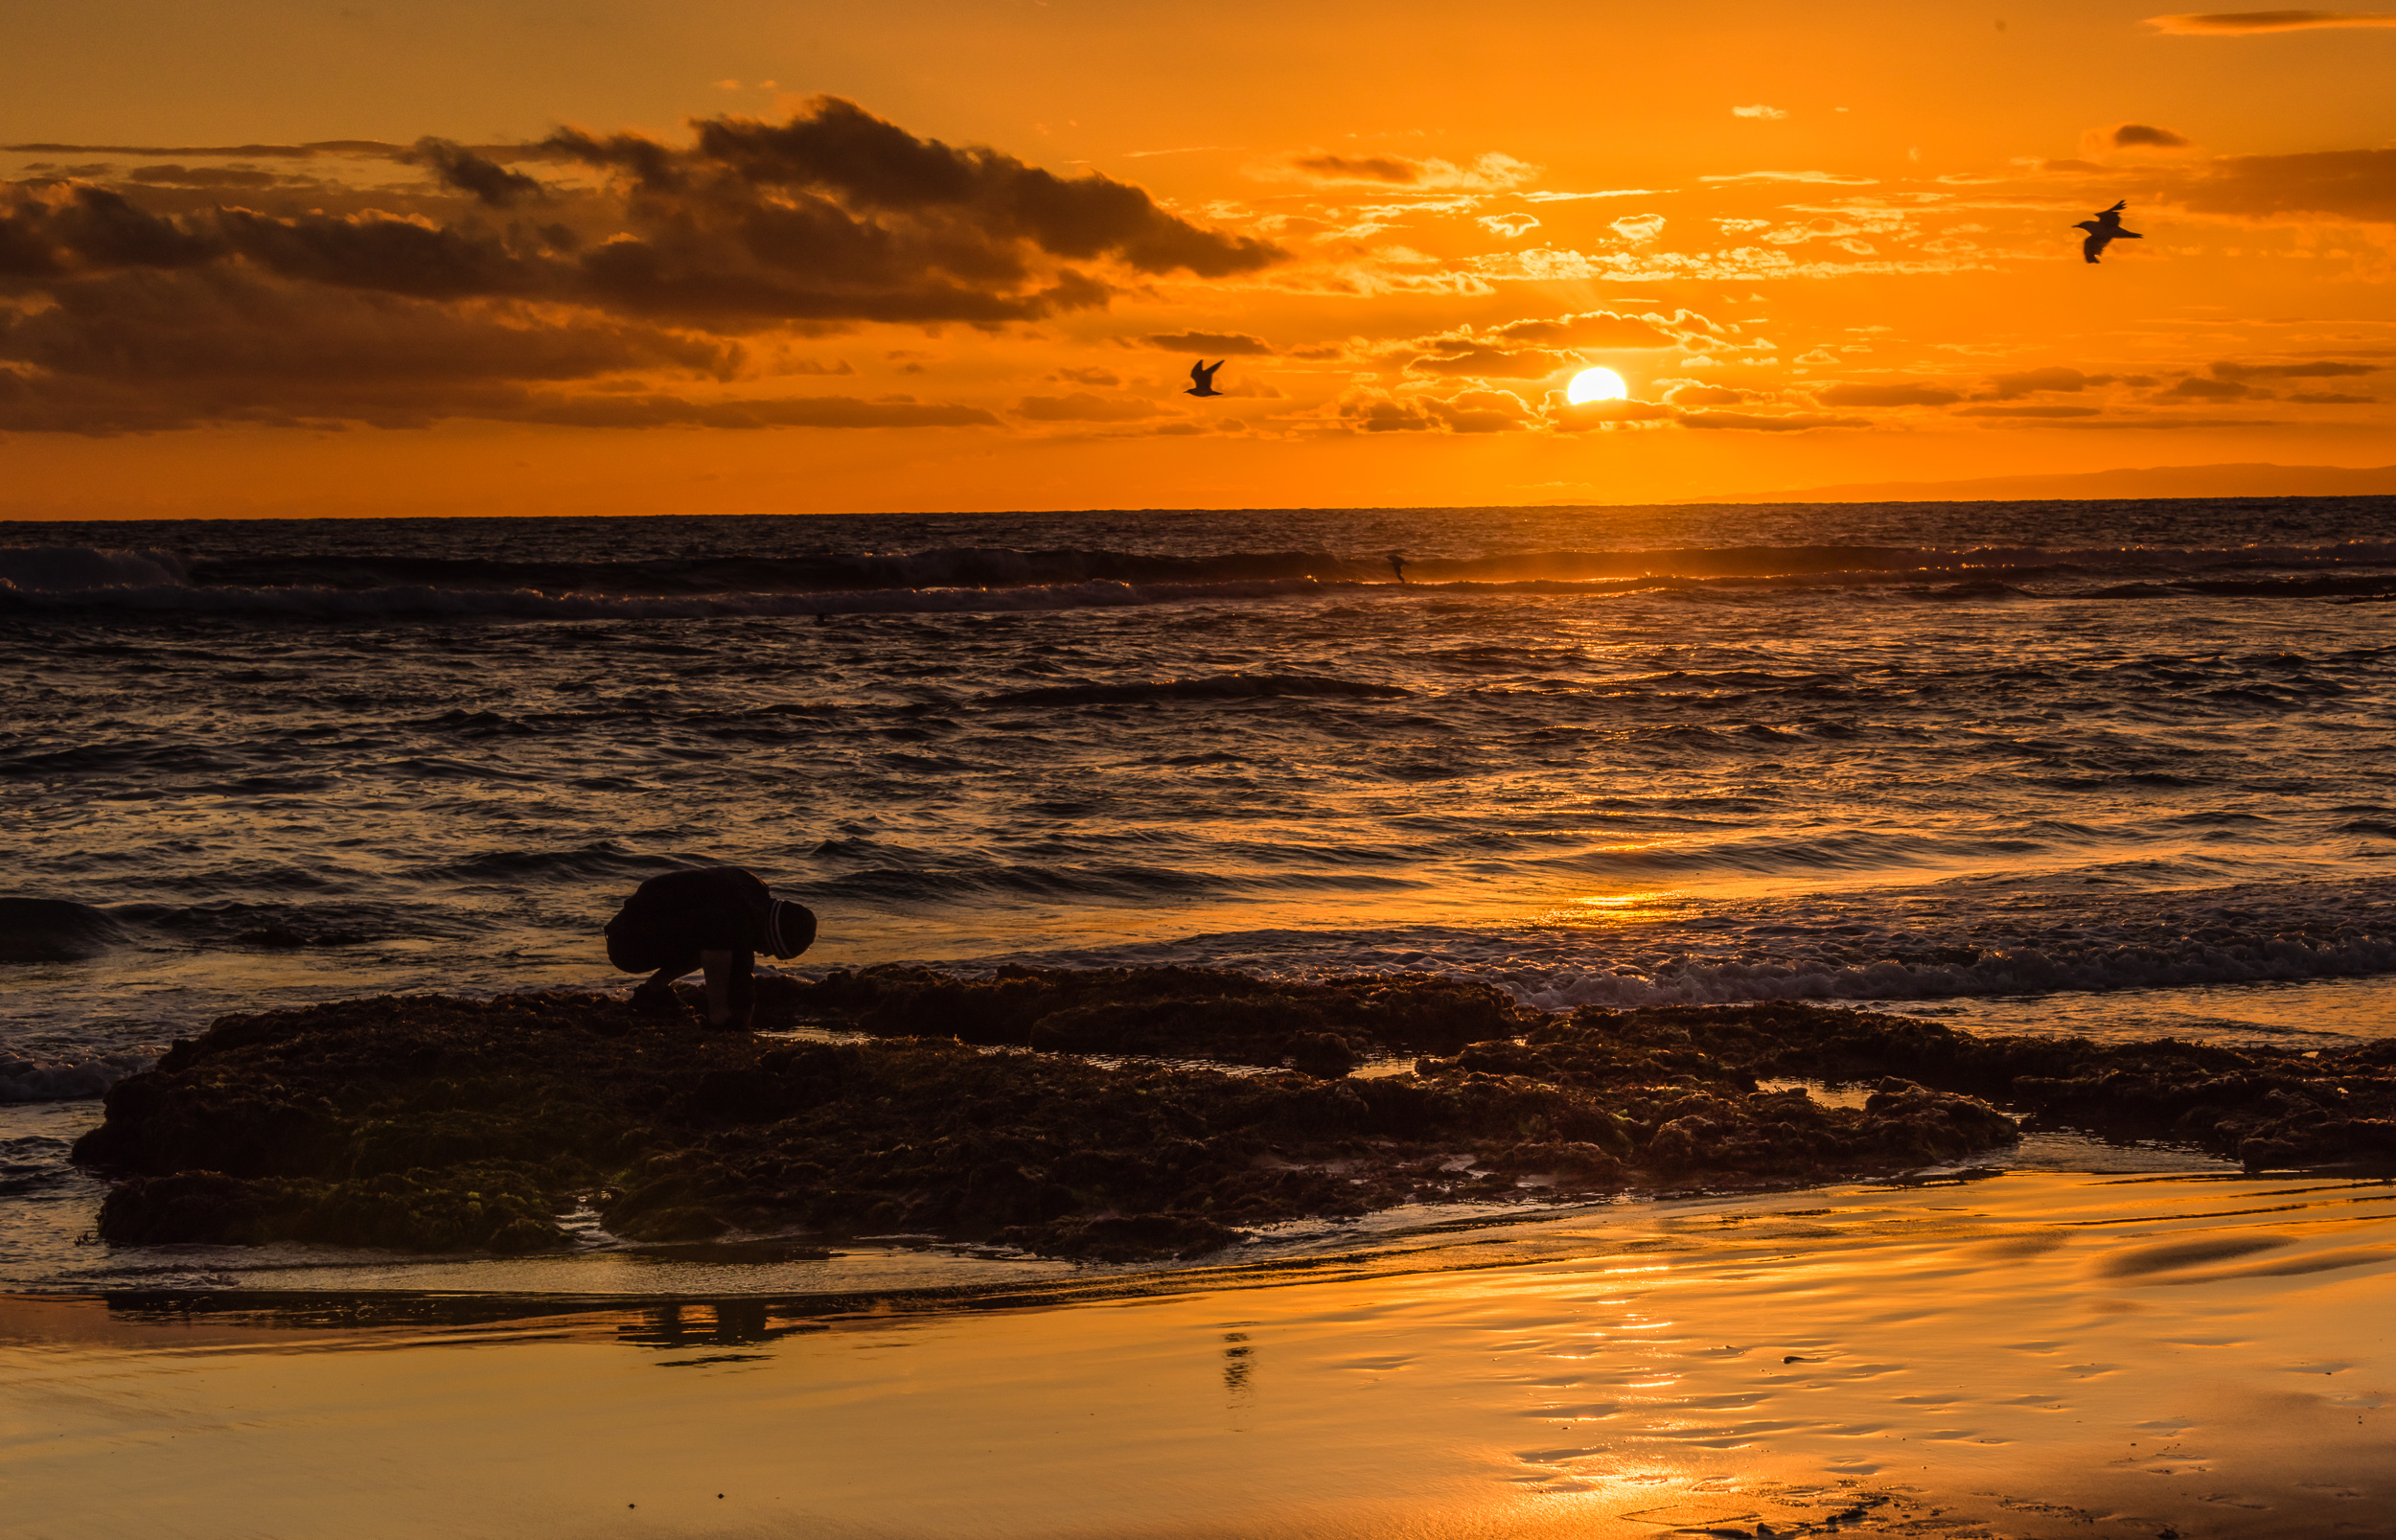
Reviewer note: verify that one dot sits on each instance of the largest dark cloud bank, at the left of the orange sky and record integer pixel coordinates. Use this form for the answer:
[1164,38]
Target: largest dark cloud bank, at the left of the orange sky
[140,305]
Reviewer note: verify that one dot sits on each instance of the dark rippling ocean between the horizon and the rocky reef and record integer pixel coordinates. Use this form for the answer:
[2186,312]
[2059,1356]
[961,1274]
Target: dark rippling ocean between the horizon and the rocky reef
[2059,768]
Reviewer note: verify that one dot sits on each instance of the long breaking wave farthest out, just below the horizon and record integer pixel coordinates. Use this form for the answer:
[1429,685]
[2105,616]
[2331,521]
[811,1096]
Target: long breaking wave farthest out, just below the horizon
[974,578]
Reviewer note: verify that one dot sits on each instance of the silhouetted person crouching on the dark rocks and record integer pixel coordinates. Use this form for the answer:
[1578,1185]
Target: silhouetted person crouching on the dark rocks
[710,921]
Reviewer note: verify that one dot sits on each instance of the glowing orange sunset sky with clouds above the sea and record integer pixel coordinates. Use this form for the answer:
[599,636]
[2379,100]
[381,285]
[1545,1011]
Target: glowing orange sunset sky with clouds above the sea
[737,257]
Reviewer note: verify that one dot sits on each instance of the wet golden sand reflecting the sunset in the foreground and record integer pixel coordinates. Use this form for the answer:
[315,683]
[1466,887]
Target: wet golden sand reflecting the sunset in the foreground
[2031,1354]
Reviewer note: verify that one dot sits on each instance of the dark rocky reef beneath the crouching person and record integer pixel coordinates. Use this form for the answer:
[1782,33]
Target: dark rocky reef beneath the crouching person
[1113,1115]
